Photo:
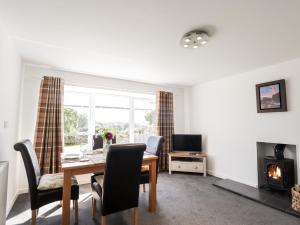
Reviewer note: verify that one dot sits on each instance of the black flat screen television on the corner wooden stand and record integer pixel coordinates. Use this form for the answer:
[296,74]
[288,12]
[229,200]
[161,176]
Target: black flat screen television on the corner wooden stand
[187,142]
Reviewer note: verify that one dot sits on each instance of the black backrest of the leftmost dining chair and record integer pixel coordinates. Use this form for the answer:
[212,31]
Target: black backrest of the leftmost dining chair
[31,165]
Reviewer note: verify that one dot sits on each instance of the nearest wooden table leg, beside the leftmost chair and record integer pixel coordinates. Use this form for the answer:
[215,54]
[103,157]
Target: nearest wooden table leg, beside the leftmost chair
[66,198]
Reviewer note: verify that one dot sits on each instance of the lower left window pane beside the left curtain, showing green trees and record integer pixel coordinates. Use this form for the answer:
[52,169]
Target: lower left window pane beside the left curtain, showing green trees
[75,128]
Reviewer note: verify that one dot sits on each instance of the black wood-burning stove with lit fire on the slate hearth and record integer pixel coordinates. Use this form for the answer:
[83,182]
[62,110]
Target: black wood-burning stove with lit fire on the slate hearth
[279,173]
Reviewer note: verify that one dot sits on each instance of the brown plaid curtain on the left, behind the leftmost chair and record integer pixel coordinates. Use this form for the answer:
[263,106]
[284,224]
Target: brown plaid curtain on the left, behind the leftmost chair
[48,132]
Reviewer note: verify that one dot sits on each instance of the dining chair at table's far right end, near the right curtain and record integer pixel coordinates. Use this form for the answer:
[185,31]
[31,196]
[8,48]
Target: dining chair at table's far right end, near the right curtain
[154,147]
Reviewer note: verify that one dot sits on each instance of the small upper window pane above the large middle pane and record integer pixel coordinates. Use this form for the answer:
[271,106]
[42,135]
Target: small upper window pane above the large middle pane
[112,101]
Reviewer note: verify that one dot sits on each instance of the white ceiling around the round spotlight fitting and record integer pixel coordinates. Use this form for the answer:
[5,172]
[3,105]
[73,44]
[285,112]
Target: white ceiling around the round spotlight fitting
[139,39]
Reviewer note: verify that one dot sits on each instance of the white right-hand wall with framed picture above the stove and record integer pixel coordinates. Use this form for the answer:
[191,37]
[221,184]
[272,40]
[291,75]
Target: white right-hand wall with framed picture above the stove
[224,111]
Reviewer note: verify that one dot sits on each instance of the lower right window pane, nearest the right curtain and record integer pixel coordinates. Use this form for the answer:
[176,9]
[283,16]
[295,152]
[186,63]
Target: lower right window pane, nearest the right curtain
[144,125]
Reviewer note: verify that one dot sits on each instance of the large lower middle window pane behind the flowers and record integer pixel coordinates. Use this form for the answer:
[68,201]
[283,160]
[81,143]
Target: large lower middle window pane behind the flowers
[114,119]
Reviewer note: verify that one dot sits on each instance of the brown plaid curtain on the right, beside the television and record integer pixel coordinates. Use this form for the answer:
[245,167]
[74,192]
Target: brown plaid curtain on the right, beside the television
[165,124]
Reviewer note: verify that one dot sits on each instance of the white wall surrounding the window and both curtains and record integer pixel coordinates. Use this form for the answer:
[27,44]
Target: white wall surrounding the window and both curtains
[32,79]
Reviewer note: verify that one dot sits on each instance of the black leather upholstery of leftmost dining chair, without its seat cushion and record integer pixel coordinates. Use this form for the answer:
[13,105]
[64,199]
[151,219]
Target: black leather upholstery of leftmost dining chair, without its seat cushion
[39,198]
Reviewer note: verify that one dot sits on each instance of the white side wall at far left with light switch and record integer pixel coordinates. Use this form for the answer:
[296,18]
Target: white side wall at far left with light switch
[10,80]
